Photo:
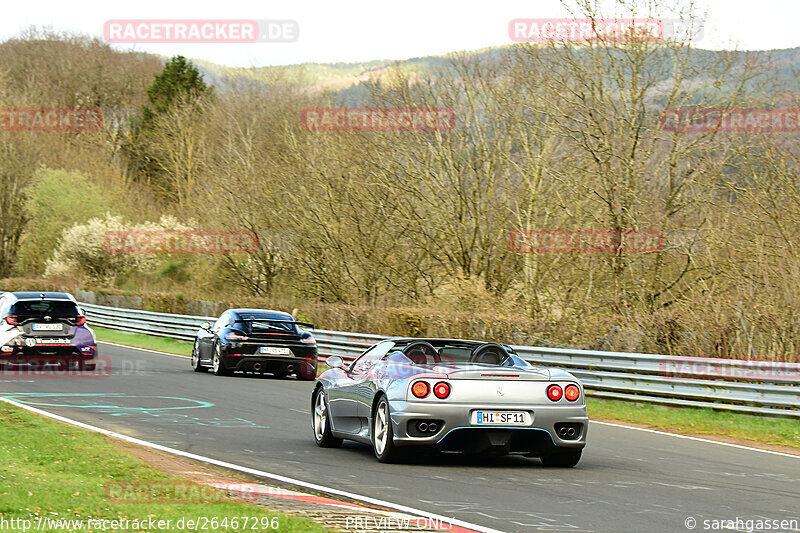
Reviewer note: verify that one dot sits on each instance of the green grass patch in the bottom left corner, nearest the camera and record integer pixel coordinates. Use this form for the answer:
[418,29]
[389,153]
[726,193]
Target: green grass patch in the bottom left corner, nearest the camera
[53,471]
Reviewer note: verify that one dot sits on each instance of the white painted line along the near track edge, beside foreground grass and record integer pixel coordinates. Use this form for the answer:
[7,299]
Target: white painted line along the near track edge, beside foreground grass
[253,471]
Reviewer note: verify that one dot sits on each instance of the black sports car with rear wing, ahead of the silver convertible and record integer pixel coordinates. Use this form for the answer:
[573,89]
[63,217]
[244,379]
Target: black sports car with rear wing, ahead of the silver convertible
[256,340]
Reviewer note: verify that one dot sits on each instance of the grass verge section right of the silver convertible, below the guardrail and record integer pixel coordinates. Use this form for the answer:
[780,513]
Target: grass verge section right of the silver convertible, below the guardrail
[690,420]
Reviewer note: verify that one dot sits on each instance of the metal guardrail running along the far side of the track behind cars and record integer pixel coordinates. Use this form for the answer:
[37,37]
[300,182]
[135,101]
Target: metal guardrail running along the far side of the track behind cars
[757,387]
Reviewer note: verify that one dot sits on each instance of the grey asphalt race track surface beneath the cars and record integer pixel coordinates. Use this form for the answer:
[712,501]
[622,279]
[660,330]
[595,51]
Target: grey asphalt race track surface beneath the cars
[628,480]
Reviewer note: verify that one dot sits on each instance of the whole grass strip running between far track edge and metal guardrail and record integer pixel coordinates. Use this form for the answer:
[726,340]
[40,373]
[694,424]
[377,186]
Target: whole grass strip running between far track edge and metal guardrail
[688,420]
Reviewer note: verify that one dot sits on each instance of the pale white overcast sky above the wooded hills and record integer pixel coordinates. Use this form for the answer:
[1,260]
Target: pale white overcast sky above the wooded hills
[357,30]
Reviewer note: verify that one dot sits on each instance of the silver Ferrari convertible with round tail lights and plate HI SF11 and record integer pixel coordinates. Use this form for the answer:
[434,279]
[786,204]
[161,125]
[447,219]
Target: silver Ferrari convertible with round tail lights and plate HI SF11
[450,396]
